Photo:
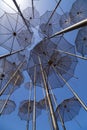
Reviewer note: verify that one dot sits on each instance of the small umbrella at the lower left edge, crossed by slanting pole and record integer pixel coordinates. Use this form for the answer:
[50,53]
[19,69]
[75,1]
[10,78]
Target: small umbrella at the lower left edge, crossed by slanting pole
[9,108]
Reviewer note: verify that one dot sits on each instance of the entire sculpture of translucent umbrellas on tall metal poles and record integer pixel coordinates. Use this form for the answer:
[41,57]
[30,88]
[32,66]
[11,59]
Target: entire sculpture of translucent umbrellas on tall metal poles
[51,64]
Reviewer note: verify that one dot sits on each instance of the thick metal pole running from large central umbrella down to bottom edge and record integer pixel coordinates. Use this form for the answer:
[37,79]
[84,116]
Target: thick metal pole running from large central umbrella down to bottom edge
[54,121]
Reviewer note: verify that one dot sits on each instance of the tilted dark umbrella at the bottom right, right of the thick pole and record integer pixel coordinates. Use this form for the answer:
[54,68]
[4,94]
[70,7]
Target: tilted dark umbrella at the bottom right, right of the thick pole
[68,109]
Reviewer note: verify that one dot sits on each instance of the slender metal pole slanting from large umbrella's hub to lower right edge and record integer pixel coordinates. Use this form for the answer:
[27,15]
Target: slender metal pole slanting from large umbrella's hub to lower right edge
[70,88]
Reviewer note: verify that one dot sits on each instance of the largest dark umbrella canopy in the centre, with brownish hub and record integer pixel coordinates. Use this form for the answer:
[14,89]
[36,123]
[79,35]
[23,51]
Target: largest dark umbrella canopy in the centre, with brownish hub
[53,62]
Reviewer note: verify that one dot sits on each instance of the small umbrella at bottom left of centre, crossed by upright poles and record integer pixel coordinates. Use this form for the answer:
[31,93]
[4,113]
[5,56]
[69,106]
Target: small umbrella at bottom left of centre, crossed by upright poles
[26,110]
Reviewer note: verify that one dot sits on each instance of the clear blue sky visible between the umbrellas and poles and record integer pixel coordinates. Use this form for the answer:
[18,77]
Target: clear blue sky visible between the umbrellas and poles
[12,121]
